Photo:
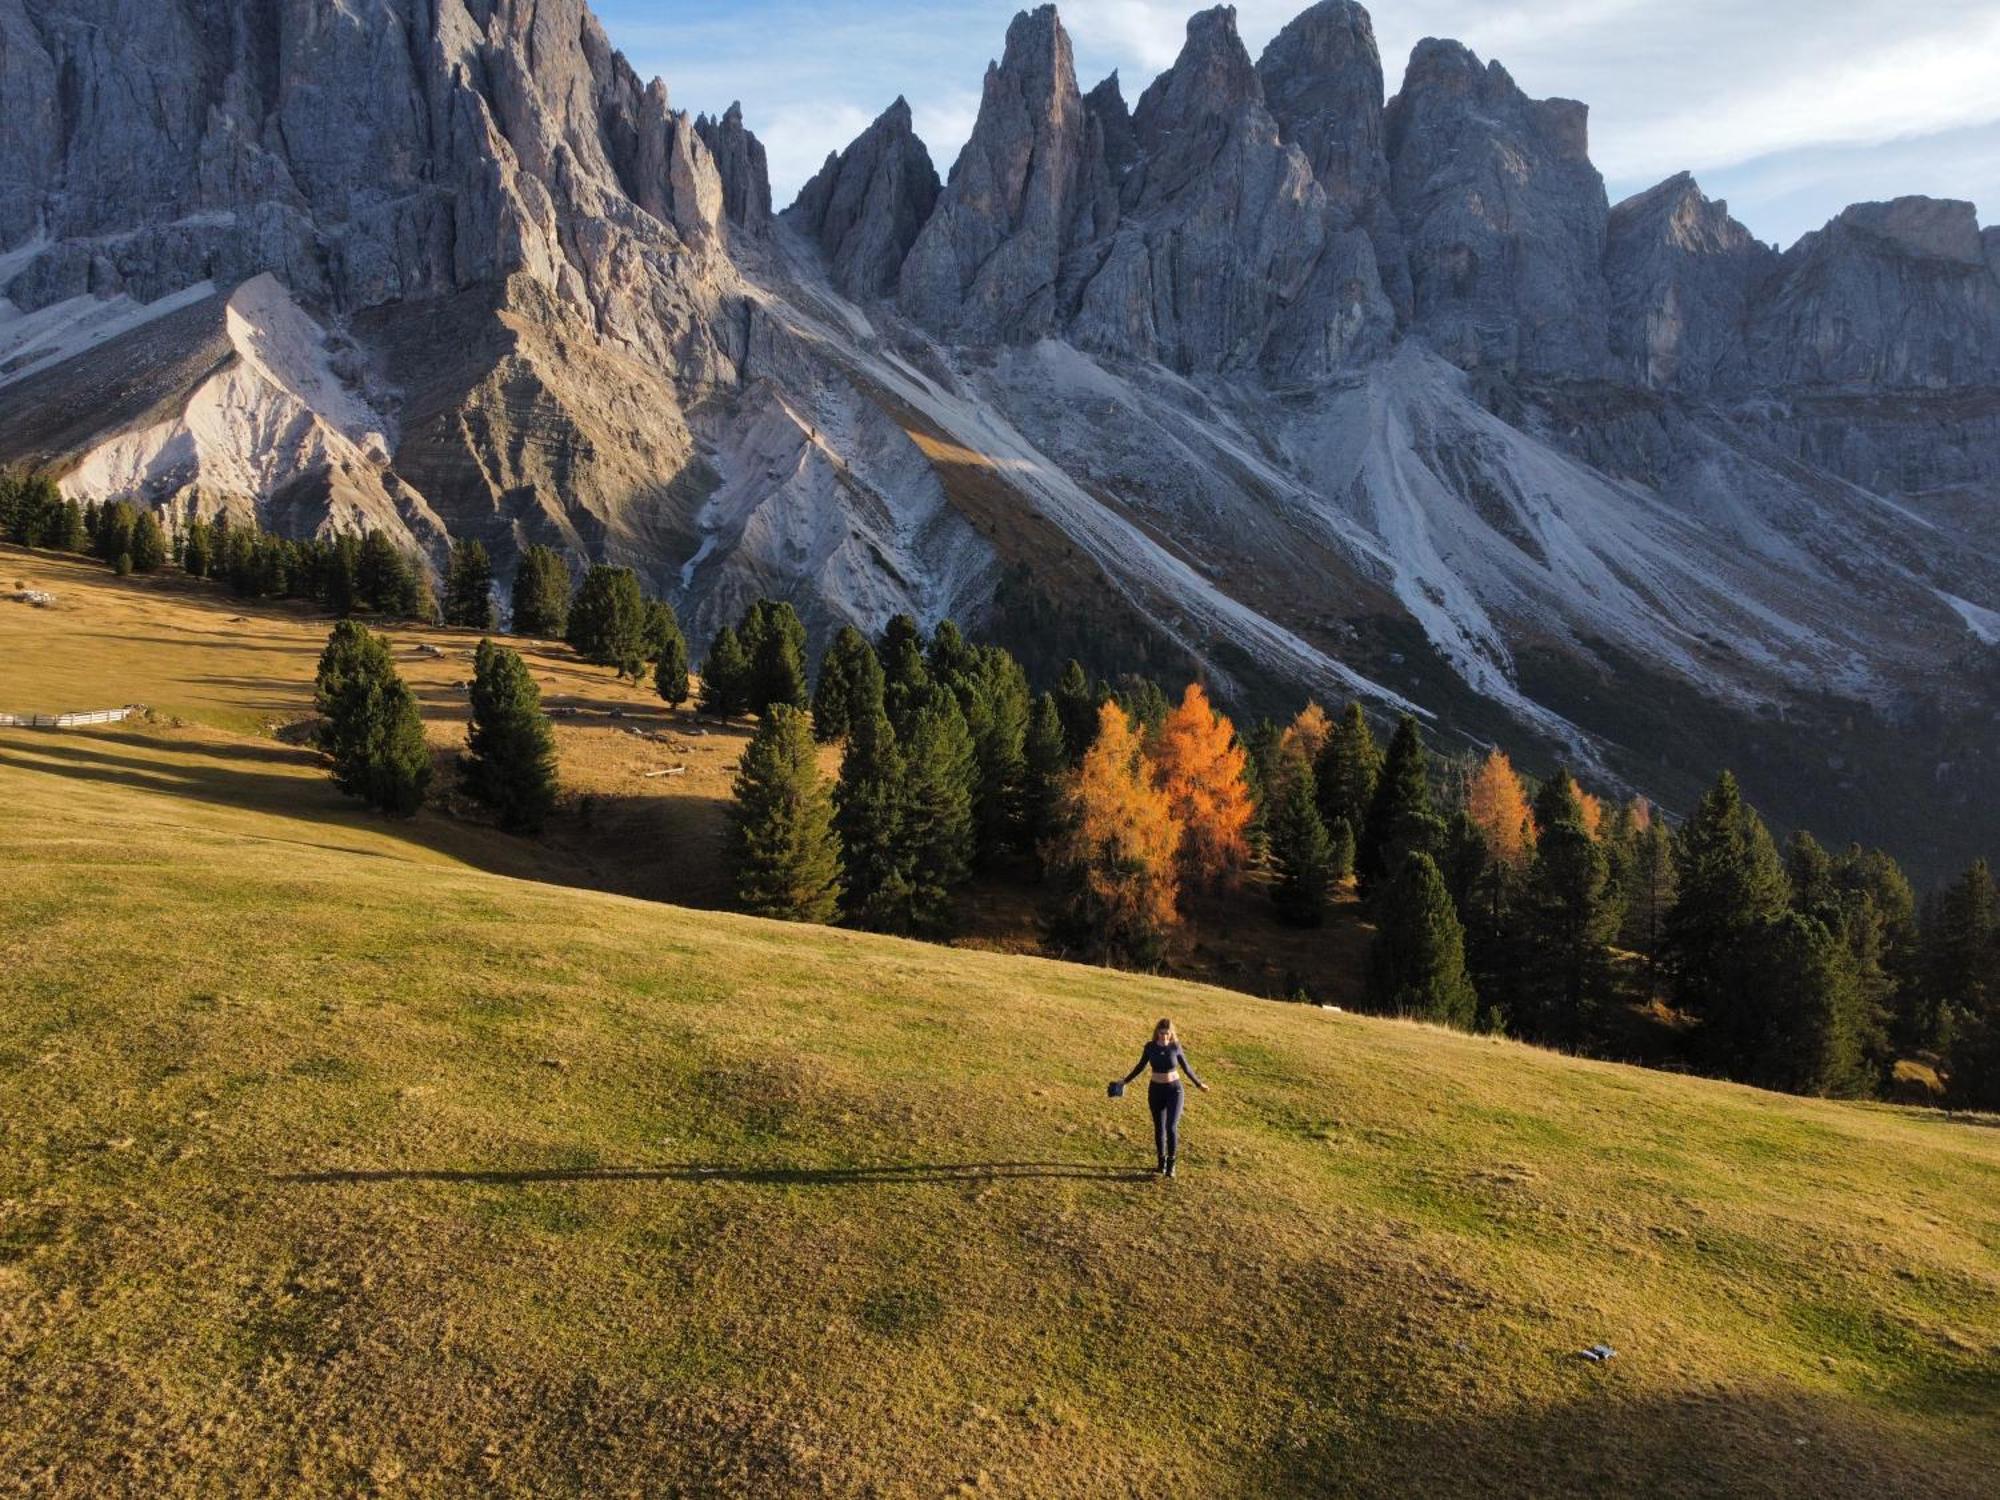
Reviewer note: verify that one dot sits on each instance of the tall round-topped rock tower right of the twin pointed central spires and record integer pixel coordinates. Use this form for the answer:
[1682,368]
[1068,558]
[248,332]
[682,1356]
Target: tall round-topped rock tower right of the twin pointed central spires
[1323,83]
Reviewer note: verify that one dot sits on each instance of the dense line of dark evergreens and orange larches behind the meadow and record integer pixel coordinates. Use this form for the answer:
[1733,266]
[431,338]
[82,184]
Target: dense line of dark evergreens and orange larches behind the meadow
[1497,903]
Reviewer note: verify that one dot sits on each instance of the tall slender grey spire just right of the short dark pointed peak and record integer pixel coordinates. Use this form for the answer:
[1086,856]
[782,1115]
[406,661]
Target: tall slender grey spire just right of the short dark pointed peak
[985,267]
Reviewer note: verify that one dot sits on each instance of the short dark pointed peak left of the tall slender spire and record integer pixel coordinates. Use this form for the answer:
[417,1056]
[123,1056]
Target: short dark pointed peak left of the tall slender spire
[869,203]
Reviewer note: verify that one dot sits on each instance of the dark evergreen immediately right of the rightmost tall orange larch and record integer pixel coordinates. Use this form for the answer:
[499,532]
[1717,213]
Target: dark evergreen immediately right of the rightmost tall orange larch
[1569,919]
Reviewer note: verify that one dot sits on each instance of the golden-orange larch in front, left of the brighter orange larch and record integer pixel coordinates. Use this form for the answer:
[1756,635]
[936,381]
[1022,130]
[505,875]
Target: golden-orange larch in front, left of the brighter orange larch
[1115,855]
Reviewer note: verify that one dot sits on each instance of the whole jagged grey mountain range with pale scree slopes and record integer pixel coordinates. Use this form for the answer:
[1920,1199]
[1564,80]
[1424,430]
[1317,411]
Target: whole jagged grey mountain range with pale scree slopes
[1265,373]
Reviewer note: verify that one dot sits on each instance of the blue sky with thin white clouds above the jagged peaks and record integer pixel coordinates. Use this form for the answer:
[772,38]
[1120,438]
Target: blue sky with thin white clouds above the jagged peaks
[1789,109]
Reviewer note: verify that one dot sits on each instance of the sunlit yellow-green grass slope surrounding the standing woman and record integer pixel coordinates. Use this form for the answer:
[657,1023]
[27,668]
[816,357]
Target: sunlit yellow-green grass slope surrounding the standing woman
[335,1163]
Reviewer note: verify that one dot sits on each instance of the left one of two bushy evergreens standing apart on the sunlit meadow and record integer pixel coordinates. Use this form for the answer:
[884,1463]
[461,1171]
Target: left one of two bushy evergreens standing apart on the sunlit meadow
[369,723]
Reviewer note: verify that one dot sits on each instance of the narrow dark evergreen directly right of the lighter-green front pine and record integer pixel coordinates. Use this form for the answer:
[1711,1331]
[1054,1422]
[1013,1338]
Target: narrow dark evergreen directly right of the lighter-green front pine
[869,809]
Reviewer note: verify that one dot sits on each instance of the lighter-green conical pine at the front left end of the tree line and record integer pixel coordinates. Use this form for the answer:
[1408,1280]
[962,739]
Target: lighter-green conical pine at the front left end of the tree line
[783,825]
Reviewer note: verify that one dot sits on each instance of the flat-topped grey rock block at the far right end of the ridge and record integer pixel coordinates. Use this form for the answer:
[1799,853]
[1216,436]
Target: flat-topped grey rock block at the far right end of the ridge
[1895,295]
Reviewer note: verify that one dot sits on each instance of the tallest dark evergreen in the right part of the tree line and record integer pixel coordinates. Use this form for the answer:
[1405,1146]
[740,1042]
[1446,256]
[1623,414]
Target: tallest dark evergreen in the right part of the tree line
[1729,887]
